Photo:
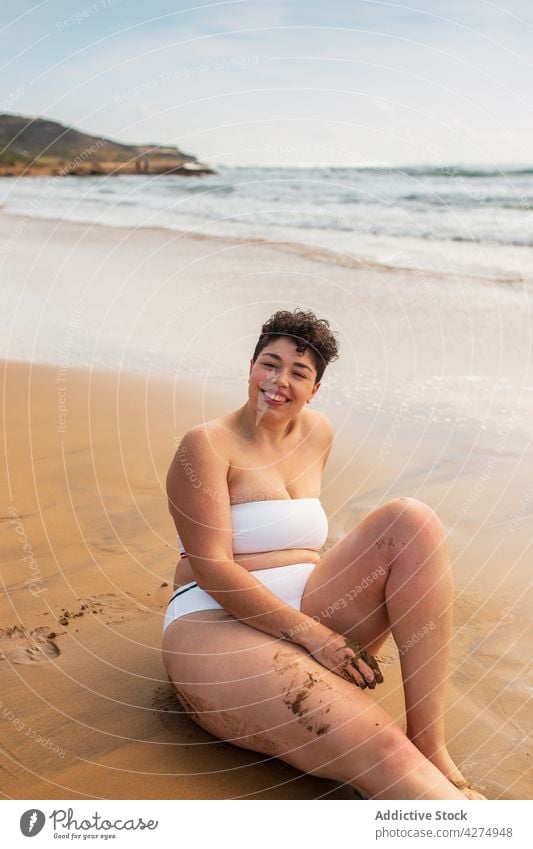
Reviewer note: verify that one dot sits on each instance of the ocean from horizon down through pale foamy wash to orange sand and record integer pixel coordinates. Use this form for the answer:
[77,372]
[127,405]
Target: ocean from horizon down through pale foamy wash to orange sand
[425,273]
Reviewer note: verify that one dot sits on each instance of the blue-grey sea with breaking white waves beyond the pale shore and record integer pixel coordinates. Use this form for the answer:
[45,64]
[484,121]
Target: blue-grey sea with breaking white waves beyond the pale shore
[448,219]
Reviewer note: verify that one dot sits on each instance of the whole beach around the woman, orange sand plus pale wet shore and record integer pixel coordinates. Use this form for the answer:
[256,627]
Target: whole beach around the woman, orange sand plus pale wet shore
[92,409]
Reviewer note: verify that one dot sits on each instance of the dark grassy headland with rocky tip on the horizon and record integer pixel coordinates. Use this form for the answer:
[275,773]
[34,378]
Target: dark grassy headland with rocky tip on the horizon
[35,147]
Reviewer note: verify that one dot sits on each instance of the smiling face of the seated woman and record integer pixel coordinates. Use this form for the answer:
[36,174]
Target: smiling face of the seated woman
[281,380]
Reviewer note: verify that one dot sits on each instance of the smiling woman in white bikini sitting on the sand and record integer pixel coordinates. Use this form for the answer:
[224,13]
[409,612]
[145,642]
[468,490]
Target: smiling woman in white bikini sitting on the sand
[270,644]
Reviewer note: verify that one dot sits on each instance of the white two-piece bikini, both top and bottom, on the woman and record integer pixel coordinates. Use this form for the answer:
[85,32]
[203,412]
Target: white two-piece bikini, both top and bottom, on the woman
[260,526]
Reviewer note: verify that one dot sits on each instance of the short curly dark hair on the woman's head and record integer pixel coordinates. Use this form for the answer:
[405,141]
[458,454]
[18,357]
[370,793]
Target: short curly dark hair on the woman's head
[308,332]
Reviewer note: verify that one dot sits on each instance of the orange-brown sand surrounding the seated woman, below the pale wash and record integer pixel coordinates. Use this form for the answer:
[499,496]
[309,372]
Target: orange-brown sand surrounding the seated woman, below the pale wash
[87,565]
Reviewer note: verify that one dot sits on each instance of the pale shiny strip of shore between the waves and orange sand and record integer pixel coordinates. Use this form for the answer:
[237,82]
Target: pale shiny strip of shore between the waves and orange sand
[158,300]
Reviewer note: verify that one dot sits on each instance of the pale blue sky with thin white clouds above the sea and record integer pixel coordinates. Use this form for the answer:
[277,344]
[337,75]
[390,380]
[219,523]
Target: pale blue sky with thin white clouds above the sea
[297,82]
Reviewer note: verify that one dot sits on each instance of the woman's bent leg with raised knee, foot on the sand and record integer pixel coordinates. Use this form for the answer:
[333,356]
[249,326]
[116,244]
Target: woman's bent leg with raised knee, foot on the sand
[392,573]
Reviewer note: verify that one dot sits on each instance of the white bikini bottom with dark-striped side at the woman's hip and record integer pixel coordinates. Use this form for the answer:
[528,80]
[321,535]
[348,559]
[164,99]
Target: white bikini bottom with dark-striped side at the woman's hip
[287,582]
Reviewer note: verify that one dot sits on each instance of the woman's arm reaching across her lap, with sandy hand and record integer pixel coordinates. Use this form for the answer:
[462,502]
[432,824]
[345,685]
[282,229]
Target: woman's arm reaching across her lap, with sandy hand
[200,505]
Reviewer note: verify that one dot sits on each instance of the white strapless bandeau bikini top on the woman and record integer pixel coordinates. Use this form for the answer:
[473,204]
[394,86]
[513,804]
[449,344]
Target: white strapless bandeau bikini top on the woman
[277,524]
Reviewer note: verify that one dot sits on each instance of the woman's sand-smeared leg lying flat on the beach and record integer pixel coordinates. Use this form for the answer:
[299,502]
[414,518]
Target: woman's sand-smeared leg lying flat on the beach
[268,695]
